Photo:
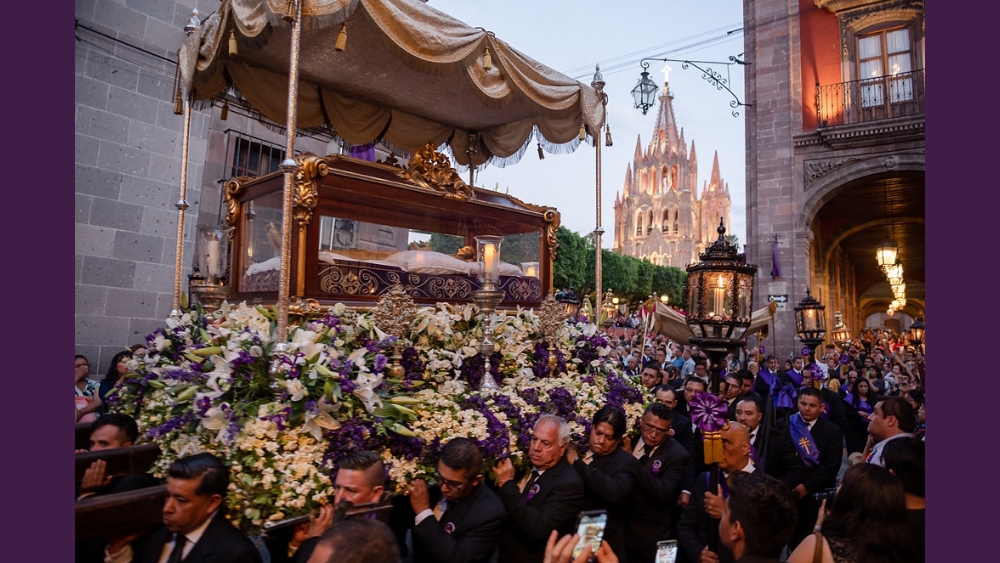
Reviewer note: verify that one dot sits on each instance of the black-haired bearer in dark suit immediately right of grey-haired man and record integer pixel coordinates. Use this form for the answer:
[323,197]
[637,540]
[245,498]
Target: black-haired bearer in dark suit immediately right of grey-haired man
[608,473]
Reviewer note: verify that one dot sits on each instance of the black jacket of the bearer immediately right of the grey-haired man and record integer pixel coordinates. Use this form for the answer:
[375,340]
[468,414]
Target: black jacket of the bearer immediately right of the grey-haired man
[607,484]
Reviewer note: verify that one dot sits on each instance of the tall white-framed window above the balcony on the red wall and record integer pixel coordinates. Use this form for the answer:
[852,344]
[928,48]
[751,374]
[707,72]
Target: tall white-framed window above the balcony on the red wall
[885,60]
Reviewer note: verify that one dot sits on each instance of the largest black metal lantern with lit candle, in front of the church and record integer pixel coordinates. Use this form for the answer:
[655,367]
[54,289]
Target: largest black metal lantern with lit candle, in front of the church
[719,301]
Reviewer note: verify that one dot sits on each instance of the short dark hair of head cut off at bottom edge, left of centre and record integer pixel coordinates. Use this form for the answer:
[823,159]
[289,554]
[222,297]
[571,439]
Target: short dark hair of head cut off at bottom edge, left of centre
[360,540]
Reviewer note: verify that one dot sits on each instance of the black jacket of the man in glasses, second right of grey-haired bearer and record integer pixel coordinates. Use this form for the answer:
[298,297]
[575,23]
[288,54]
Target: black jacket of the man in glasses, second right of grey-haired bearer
[654,495]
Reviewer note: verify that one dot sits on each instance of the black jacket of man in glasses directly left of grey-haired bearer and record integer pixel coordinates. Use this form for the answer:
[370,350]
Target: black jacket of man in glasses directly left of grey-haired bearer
[467,532]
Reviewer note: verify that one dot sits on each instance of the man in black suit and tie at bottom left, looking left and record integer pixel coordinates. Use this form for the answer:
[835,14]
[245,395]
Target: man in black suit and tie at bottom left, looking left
[194,528]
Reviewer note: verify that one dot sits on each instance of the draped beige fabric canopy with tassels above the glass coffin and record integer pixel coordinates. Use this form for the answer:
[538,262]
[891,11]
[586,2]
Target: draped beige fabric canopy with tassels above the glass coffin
[410,75]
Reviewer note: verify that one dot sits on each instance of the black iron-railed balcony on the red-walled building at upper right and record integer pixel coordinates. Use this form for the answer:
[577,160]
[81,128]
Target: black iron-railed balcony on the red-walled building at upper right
[872,99]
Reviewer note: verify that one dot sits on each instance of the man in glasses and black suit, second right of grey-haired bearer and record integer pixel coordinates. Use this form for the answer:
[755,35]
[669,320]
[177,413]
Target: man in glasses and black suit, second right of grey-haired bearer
[662,465]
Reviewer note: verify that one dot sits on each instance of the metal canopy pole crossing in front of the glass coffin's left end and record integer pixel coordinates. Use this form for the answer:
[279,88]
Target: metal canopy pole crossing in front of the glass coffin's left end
[289,167]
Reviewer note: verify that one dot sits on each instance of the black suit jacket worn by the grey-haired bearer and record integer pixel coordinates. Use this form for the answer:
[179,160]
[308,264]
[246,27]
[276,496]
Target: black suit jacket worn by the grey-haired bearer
[530,521]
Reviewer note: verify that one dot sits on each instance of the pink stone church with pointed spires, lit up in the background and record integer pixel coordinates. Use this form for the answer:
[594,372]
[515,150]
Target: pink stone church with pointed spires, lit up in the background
[659,216]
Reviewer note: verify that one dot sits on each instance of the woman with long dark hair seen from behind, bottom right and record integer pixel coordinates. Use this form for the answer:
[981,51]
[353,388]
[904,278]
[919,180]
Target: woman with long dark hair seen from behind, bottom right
[866,521]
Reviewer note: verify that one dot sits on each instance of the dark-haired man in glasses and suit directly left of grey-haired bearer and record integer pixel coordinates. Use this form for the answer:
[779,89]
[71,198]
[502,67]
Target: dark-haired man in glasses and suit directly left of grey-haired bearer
[467,516]
